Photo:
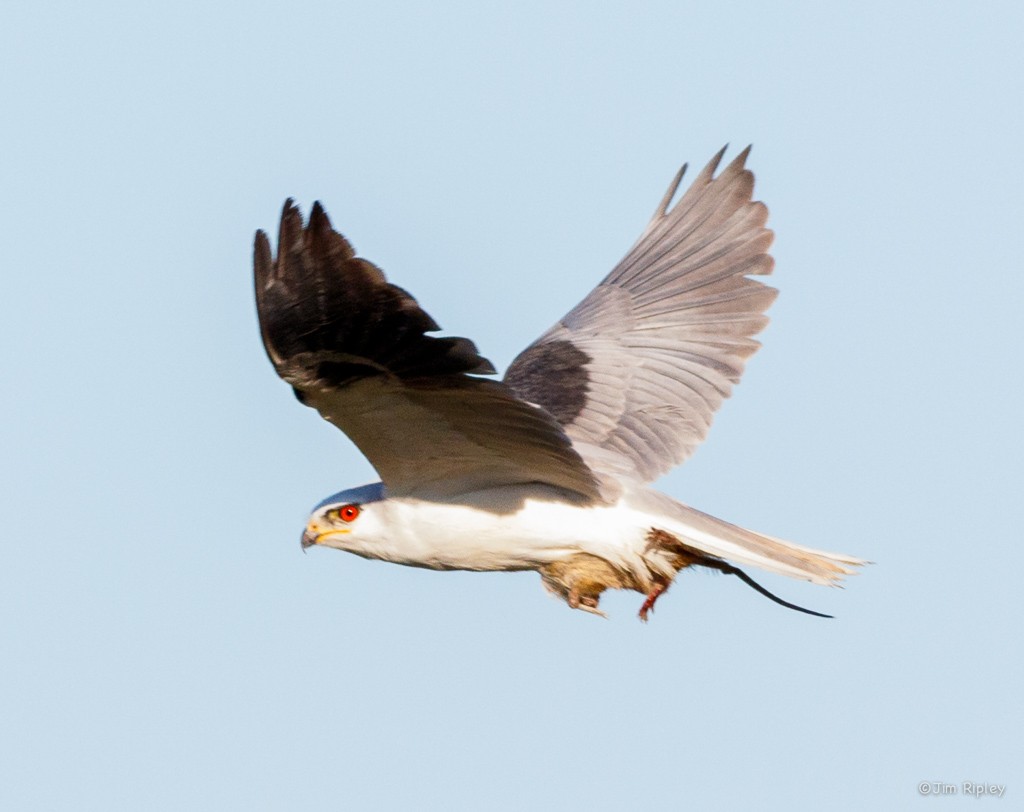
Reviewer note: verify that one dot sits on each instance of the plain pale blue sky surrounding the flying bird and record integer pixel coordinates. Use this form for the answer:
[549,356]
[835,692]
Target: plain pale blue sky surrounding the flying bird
[166,646]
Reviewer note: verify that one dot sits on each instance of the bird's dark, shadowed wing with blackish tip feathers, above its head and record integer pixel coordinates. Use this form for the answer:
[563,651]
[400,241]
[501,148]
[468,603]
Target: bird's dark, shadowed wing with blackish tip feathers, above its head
[356,349]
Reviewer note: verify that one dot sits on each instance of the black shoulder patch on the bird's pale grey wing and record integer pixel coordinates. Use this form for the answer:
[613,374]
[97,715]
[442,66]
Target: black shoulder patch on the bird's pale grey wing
[553,375]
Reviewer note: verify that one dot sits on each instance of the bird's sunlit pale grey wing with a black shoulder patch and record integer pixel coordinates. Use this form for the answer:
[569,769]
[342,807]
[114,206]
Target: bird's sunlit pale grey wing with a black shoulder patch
[636,371]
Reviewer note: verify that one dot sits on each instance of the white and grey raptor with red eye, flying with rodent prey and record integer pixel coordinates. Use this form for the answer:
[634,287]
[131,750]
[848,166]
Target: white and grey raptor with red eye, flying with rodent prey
[548,468]
